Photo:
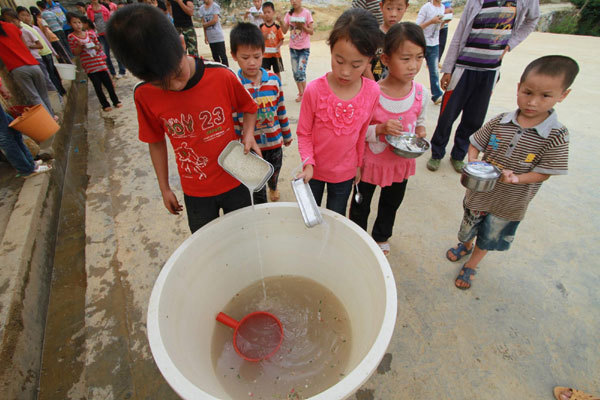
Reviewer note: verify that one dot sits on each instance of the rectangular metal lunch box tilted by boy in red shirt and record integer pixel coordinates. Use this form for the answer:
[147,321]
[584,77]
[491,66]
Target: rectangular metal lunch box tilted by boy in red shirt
[250,169]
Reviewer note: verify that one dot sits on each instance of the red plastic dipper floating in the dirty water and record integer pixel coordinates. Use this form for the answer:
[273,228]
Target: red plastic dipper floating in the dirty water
[257,336]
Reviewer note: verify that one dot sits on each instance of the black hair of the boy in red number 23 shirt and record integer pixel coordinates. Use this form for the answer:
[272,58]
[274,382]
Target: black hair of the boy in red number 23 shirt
[146,42]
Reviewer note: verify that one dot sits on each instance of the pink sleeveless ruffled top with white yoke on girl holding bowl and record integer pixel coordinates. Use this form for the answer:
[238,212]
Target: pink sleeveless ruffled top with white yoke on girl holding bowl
[382,166]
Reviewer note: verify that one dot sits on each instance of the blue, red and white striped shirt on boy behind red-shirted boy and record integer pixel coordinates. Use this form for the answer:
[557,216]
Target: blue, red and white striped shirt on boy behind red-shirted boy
[272,126]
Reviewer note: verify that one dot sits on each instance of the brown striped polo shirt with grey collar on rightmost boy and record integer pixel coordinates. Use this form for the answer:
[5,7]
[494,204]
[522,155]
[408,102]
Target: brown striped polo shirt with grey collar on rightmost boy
[543,149]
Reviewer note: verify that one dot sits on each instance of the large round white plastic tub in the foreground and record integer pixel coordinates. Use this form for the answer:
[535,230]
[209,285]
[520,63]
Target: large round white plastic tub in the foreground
[220,259]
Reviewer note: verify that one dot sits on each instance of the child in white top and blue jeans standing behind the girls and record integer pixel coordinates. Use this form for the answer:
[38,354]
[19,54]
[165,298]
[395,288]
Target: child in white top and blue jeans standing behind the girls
[430,19]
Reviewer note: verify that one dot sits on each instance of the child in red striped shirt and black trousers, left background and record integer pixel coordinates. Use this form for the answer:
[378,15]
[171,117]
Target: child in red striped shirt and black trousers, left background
[86,45]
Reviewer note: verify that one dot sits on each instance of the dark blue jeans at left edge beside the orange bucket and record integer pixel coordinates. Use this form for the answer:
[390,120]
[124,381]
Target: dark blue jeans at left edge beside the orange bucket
[11,143]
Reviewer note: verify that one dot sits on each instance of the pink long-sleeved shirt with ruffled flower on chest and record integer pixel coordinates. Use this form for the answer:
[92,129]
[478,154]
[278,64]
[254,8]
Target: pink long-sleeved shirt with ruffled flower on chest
[331,132]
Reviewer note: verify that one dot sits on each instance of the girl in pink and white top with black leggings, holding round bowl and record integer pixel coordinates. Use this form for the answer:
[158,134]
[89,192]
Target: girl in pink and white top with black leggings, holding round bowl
[401,109]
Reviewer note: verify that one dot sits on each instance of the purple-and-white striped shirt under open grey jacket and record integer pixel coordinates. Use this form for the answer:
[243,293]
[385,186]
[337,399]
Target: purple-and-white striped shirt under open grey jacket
[490,32]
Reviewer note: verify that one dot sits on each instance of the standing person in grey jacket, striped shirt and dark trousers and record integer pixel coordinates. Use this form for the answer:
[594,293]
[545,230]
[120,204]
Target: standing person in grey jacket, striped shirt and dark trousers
[487,30]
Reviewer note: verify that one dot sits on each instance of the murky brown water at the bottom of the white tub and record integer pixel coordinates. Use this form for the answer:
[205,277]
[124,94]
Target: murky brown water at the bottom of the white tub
[315,349]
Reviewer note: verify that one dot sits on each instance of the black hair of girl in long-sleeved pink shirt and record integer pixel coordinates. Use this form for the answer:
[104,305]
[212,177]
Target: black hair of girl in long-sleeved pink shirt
[360,27]
